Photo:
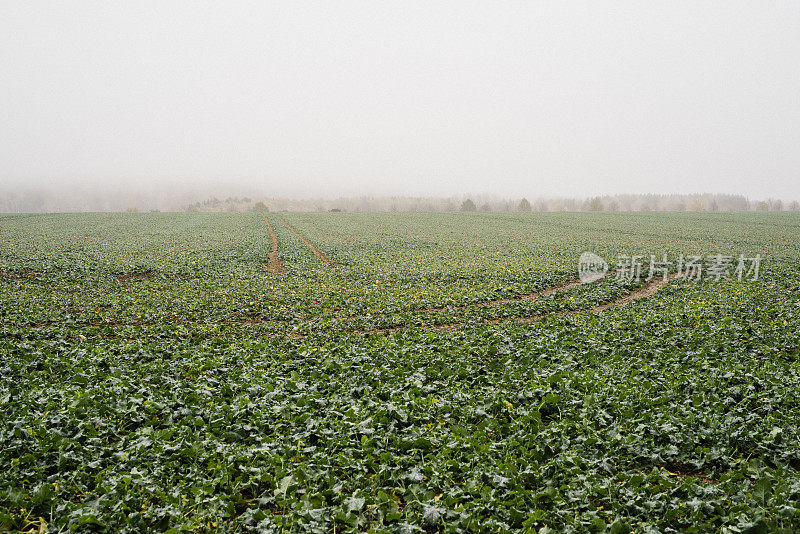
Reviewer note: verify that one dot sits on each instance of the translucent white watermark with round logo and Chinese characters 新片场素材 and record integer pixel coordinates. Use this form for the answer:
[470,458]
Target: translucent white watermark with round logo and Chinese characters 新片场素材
[716,267]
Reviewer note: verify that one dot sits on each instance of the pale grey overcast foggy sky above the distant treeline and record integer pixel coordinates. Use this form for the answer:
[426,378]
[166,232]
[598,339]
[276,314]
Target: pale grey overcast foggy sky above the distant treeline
[311,99]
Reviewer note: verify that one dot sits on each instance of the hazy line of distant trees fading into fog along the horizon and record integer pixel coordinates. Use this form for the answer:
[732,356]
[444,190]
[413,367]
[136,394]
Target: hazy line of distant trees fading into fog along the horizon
[35,201]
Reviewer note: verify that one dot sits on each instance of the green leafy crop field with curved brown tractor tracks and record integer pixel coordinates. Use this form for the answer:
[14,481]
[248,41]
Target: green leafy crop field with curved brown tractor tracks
[376,372]
